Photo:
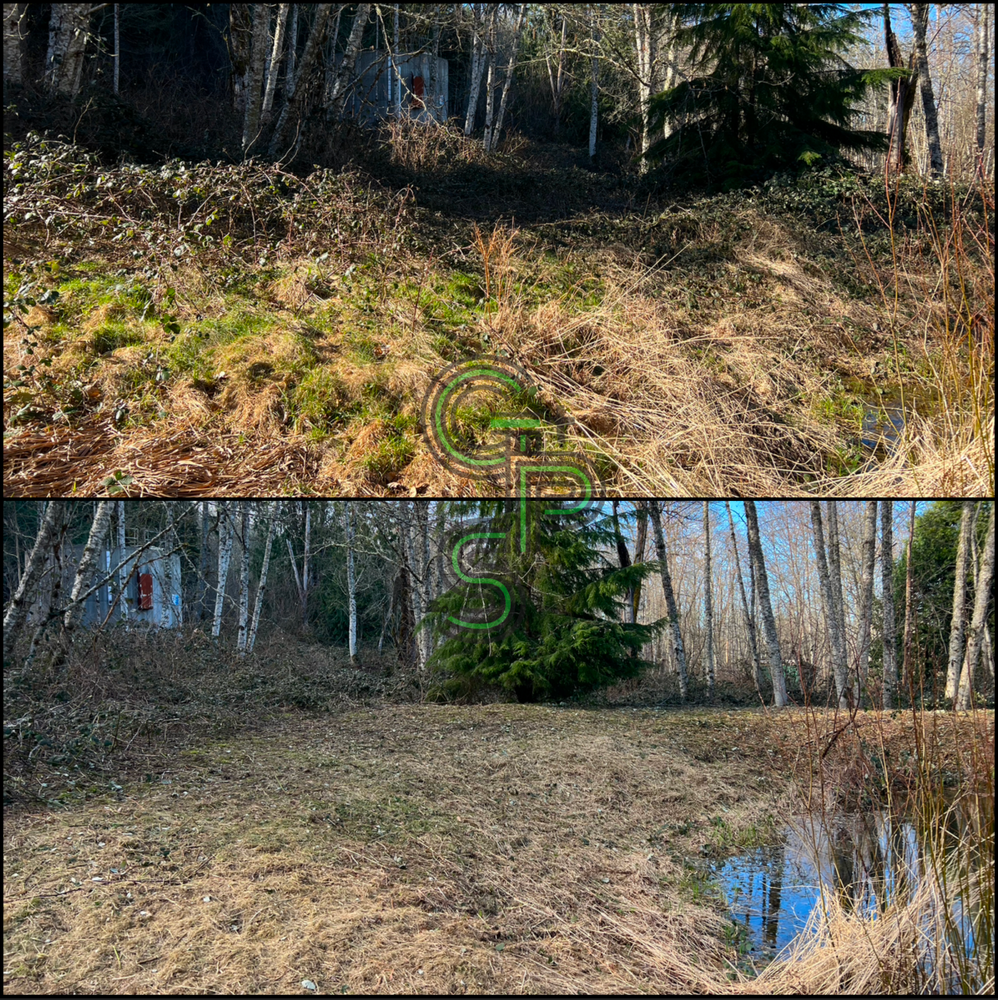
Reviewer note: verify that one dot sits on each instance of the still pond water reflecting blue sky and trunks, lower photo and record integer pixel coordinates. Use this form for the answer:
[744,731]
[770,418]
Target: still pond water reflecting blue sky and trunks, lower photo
[866,860]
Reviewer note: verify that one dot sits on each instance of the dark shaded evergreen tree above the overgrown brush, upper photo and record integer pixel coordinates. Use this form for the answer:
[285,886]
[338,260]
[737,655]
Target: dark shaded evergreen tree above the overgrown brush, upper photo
[769,91]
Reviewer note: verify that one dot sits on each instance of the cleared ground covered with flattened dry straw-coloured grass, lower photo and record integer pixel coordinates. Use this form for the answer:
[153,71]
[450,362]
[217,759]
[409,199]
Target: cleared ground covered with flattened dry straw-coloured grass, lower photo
[414,849]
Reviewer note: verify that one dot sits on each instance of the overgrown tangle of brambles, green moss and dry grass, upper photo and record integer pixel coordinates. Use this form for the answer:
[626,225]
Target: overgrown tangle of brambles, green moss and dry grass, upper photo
[198,328]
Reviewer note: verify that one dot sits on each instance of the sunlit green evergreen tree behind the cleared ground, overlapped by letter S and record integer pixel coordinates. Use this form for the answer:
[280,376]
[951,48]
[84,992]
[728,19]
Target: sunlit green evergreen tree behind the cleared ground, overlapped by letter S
[560,630]
